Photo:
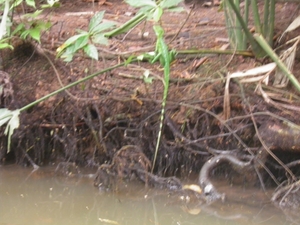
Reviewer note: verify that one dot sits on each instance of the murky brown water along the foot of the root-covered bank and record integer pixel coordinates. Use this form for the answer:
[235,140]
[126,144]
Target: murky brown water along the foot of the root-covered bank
[41,198]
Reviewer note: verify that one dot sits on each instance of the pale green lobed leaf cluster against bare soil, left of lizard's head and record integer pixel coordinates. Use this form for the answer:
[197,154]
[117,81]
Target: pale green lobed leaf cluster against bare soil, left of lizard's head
[86,40]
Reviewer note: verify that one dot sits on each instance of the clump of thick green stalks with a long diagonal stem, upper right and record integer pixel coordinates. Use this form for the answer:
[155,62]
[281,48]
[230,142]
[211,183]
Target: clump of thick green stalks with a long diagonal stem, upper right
[262,41]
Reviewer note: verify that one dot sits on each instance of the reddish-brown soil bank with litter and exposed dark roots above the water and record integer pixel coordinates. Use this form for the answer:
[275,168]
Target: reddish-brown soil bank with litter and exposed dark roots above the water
[92,121]
